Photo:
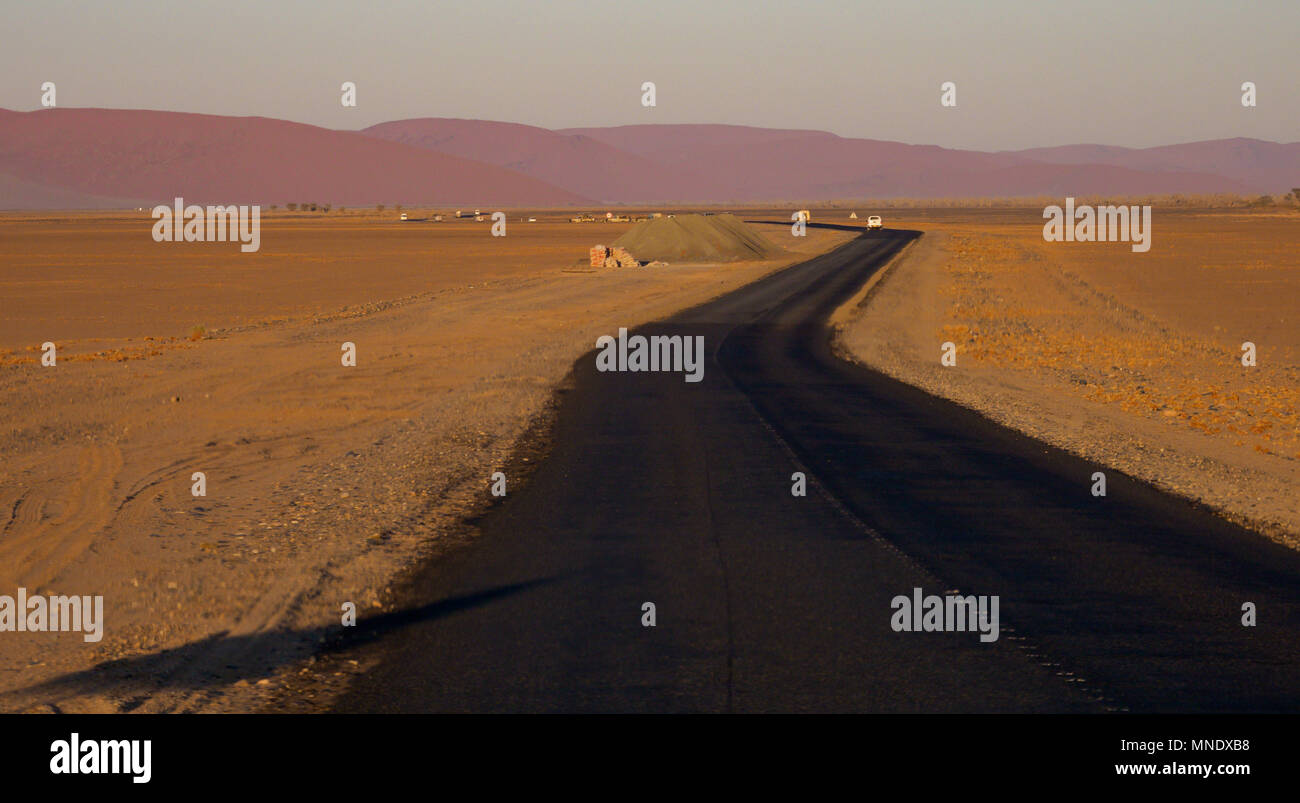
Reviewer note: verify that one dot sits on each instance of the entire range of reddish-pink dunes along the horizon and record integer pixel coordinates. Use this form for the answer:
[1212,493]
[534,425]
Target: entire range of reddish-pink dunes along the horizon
[102,158]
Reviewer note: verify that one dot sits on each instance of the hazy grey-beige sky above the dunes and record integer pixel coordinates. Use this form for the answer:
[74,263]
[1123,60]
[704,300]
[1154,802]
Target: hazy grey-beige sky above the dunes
[1130,72]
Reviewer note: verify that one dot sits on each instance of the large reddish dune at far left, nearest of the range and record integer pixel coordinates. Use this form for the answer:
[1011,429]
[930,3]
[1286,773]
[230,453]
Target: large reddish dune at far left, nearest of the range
[64,155]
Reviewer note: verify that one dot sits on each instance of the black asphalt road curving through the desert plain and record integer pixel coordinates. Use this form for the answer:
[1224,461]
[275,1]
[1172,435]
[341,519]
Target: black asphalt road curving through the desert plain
[679,494]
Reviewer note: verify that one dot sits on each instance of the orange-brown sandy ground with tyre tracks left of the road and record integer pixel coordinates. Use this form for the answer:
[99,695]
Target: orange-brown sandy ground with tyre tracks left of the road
[323,483]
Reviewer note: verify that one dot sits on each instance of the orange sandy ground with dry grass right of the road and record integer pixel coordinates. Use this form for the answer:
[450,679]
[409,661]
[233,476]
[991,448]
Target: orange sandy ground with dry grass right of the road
[1133,361]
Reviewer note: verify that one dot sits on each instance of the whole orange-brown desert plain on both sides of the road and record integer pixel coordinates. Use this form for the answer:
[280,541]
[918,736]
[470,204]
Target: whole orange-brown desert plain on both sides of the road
[324,484]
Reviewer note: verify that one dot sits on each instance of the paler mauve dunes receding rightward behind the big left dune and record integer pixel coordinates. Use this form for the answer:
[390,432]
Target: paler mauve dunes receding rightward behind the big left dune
[742,164]
